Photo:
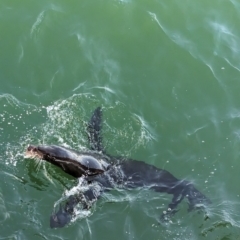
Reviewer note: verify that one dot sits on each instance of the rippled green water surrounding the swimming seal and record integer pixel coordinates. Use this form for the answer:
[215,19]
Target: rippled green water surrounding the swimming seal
[167,74]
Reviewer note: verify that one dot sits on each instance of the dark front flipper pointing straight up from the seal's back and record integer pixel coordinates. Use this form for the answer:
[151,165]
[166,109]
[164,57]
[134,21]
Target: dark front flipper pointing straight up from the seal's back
[94,130]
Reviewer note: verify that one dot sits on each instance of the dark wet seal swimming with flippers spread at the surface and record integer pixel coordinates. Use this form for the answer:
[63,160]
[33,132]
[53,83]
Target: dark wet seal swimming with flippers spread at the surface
[103,172]
